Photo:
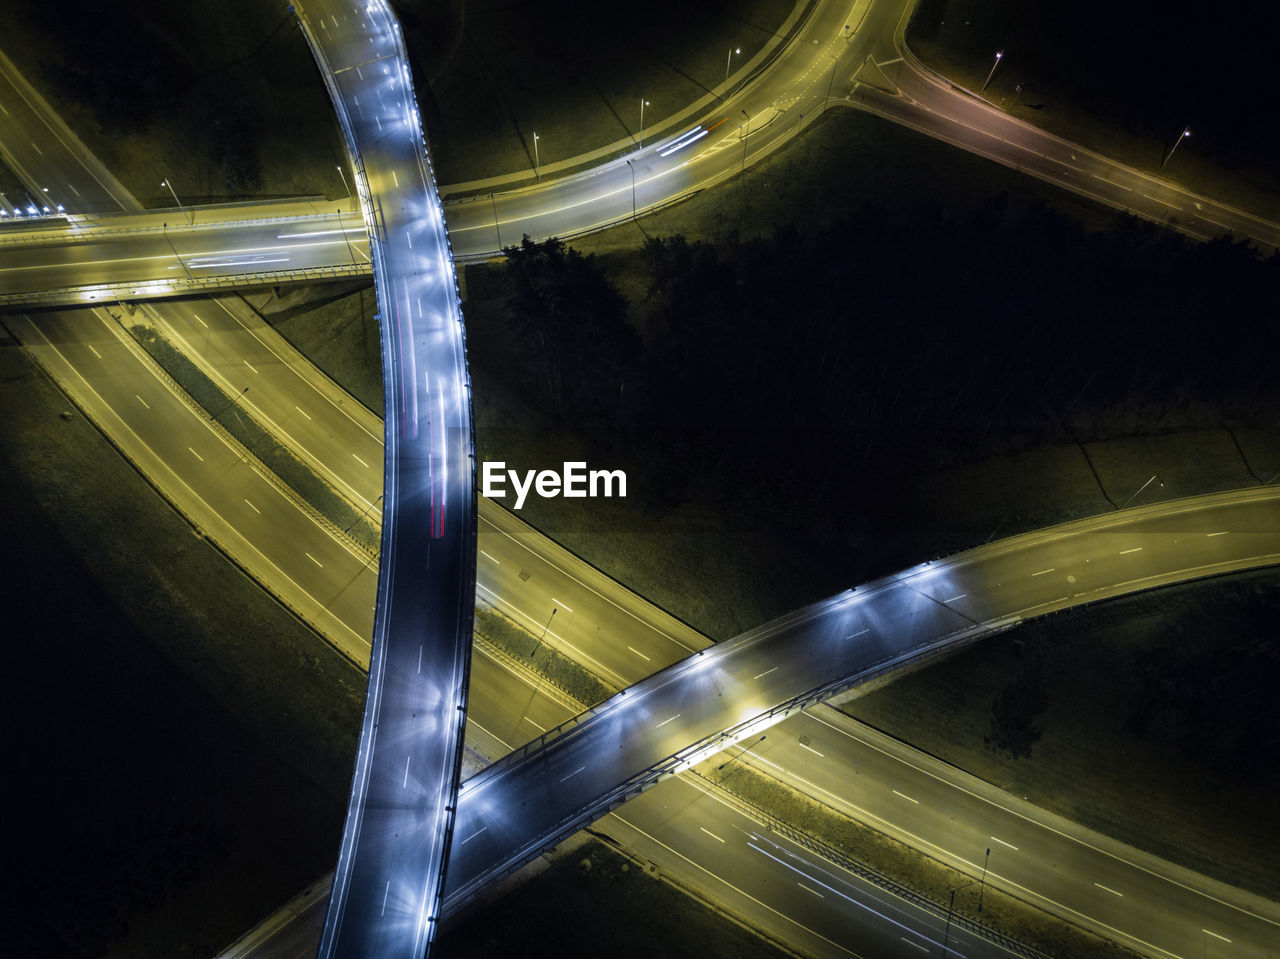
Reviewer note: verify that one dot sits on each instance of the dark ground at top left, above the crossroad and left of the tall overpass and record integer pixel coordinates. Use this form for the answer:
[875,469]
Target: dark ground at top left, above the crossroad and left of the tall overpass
[228,102]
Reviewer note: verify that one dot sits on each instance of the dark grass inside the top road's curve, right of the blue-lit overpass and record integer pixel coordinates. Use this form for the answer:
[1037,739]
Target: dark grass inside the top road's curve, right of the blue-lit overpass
[492,79]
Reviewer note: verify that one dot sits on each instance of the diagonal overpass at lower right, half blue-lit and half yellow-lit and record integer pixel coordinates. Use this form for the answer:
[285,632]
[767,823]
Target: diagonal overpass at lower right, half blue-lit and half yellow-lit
[673,719]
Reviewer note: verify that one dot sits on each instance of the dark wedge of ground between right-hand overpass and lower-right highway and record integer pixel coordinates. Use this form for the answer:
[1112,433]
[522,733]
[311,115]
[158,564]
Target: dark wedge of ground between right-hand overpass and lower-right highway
[1151,719]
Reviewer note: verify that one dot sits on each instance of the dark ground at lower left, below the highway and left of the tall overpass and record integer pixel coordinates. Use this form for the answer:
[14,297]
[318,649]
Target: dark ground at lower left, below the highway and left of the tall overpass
[167,788]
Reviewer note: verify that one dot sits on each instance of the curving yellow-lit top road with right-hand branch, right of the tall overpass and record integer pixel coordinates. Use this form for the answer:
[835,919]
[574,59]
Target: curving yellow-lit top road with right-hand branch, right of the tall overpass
[821,67]
